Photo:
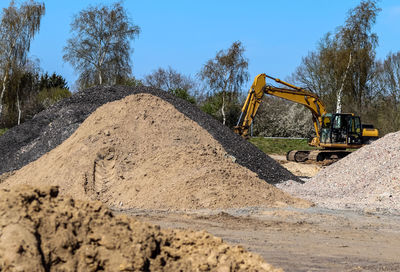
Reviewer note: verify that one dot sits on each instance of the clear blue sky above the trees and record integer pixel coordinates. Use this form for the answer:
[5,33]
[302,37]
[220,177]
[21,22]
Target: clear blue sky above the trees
[185,34]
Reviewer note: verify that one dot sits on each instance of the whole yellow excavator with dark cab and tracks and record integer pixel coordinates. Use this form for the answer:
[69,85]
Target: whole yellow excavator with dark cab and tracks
[335,132]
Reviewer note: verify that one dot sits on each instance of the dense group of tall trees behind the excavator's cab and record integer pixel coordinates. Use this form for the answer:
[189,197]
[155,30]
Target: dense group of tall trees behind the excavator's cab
[345,73]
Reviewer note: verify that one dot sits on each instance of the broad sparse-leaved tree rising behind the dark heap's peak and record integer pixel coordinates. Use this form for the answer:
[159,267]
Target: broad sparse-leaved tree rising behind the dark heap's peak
[100,44]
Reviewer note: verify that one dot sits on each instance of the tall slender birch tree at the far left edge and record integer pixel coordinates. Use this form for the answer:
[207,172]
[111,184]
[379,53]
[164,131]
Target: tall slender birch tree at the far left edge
[17,29]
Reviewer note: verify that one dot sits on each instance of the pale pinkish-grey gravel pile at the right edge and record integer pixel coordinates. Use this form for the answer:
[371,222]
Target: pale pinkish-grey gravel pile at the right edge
[367,180]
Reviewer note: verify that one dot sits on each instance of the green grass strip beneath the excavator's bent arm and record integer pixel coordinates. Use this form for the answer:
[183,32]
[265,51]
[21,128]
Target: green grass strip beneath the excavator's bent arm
[280,146]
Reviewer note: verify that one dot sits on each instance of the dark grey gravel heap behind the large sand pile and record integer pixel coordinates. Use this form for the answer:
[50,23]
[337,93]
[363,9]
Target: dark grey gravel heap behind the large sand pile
[30,140]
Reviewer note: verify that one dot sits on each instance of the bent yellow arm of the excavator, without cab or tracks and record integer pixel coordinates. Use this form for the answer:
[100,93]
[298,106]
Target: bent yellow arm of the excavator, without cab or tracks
[291,93]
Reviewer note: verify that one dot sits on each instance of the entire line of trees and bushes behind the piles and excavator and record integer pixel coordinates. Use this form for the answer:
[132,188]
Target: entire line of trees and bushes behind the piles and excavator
[343,71]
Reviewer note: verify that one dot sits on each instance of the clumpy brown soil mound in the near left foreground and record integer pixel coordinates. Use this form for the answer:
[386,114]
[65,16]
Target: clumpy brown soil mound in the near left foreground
[41,231]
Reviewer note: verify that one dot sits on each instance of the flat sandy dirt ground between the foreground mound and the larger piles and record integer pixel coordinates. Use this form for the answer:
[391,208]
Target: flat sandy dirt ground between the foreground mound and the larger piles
[299,240]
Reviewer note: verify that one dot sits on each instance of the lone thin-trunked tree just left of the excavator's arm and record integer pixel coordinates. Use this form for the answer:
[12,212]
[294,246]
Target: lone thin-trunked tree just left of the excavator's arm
[226,73]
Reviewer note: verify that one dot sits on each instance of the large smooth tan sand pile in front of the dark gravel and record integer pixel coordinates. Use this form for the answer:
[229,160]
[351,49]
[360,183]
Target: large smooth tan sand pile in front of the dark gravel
[142,153]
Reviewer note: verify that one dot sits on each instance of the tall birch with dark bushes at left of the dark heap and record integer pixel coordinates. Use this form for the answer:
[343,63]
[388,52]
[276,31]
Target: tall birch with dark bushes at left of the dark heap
[25,90]
